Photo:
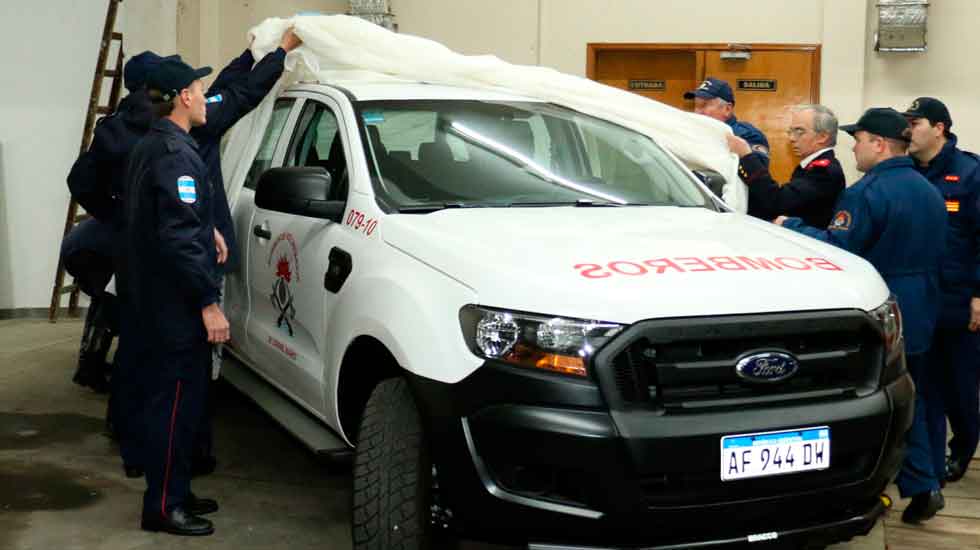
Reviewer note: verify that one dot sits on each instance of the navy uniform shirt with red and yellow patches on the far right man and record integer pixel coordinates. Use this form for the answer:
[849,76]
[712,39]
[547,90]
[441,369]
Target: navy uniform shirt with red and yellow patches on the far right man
[955,175]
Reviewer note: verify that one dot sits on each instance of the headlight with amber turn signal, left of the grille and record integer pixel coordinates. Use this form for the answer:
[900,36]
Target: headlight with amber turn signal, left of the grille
[556,344]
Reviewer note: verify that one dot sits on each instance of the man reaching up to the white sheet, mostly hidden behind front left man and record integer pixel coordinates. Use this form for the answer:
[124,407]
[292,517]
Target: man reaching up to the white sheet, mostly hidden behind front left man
[236,91]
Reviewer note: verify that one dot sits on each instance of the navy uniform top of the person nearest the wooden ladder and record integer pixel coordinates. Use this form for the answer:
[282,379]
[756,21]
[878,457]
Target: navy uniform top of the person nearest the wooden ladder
[96,178]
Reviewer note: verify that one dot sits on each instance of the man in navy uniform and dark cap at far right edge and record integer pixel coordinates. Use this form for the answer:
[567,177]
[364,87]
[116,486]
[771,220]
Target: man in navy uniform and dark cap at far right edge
[955,356]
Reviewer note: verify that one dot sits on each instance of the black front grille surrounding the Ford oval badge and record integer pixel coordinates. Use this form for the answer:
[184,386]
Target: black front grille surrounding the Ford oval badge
[687,365]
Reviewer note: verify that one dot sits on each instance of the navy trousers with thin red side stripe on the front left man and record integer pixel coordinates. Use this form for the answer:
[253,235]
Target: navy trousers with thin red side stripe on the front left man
[176,386]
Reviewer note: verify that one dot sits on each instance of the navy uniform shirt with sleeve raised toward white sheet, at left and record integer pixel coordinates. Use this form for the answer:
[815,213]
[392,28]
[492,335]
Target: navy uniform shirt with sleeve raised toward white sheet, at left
[237,90]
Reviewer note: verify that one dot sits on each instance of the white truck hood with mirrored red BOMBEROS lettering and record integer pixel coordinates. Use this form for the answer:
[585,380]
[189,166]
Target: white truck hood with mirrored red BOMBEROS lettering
[627,264]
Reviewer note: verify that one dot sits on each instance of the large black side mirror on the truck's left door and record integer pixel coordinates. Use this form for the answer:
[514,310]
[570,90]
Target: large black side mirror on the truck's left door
[298,190]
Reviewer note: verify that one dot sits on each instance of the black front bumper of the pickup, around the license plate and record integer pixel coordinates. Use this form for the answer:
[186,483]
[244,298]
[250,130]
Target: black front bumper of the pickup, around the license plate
[530,457]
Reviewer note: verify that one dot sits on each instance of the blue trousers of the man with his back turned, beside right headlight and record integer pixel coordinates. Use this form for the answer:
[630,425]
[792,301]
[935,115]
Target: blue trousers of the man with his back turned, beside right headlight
[919,472]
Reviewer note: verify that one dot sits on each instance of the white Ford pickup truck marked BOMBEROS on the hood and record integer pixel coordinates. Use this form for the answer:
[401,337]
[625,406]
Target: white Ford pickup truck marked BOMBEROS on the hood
[534,326]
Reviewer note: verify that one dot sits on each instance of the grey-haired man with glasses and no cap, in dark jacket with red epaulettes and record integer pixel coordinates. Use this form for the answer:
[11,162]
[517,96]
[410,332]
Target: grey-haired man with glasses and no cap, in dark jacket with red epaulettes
[817,180]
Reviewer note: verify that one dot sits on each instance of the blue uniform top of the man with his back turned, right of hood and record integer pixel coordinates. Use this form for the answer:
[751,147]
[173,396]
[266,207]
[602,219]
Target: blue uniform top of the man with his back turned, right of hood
[895,219]
